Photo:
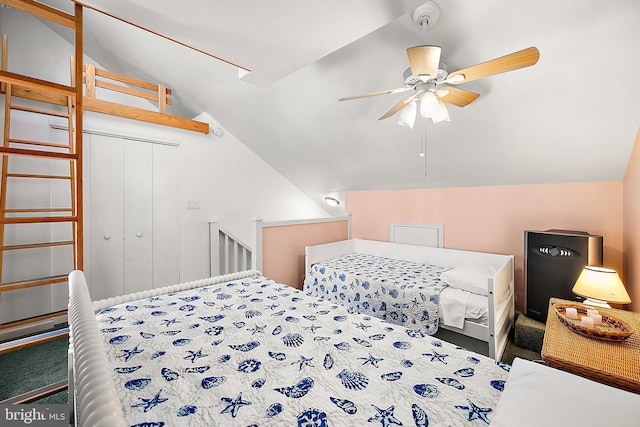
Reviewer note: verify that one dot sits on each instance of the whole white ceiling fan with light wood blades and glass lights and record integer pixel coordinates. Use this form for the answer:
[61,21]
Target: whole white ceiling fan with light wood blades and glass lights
[427,76]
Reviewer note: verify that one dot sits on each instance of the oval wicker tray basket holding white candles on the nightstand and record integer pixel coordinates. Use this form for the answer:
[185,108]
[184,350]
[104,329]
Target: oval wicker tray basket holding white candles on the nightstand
[611,329]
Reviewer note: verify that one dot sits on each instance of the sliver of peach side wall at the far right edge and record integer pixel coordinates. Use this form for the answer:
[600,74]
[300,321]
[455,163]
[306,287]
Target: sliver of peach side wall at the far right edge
[631,211]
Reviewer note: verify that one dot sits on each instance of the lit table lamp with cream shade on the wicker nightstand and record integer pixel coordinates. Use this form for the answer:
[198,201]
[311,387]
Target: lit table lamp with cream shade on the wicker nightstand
[600,286]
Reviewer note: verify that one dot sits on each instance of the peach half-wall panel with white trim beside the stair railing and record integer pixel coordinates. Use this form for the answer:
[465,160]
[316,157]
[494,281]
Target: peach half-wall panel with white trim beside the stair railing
[283,248]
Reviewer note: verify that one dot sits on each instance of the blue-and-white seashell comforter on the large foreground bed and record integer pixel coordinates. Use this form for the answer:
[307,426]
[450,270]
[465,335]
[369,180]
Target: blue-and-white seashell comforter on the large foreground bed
[254,352]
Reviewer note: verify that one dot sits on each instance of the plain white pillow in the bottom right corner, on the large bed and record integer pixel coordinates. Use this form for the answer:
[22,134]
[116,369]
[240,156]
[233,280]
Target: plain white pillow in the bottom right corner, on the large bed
[536,395]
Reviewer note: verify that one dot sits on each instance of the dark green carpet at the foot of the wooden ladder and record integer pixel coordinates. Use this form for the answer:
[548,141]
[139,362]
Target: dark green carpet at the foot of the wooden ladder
[34,367]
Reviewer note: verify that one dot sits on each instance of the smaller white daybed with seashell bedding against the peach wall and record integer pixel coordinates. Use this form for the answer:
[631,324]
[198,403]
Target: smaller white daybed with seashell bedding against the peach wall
[419,287]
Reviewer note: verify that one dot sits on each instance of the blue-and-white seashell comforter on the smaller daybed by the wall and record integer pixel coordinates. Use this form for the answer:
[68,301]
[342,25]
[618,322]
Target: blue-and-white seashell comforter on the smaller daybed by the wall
[401,292]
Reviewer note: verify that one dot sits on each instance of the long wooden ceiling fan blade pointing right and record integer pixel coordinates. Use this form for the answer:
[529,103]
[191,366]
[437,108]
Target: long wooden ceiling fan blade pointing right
[513,61]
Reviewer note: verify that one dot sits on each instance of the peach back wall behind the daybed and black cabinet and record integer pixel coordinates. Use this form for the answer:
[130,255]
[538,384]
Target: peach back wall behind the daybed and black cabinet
[493,219]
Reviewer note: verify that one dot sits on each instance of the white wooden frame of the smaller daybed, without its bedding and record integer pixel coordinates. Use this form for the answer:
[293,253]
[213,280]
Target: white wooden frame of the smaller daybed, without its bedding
[500,286]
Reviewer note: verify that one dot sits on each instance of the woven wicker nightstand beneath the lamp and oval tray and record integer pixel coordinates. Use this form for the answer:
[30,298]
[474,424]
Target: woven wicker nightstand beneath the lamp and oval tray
[613,363]
